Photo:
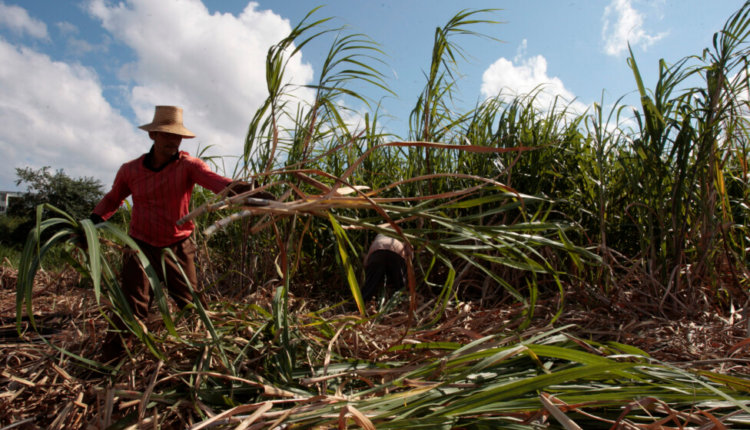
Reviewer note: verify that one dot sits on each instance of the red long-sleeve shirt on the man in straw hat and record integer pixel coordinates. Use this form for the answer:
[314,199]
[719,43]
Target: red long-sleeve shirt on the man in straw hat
[160,197]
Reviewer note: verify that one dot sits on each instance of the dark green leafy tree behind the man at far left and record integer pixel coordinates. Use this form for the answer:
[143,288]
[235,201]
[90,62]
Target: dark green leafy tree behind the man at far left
[78,196]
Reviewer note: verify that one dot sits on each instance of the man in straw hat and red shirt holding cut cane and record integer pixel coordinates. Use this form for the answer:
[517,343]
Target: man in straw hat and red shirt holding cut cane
[161,183]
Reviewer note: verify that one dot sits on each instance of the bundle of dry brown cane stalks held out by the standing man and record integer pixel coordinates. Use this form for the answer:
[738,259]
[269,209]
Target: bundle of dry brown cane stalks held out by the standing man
[344,195]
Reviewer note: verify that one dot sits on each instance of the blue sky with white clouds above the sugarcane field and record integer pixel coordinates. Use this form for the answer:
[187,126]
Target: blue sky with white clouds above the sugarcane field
[78,77]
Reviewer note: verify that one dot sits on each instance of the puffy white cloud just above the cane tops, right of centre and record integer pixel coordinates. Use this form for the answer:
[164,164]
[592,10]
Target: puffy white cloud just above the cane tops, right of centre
[526,75]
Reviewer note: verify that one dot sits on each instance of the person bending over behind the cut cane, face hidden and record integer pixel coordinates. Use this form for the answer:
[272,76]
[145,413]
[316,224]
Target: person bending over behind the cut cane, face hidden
[385,259]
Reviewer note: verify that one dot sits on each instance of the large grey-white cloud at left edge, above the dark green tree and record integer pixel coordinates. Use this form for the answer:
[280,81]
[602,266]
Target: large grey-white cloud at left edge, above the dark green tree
[53,114]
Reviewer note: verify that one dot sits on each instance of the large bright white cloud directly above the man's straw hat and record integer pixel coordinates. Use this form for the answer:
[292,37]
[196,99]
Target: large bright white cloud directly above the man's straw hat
[212,65]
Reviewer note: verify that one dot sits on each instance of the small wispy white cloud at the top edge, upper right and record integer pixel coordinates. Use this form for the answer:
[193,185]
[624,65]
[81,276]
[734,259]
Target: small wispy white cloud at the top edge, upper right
[627,27]
